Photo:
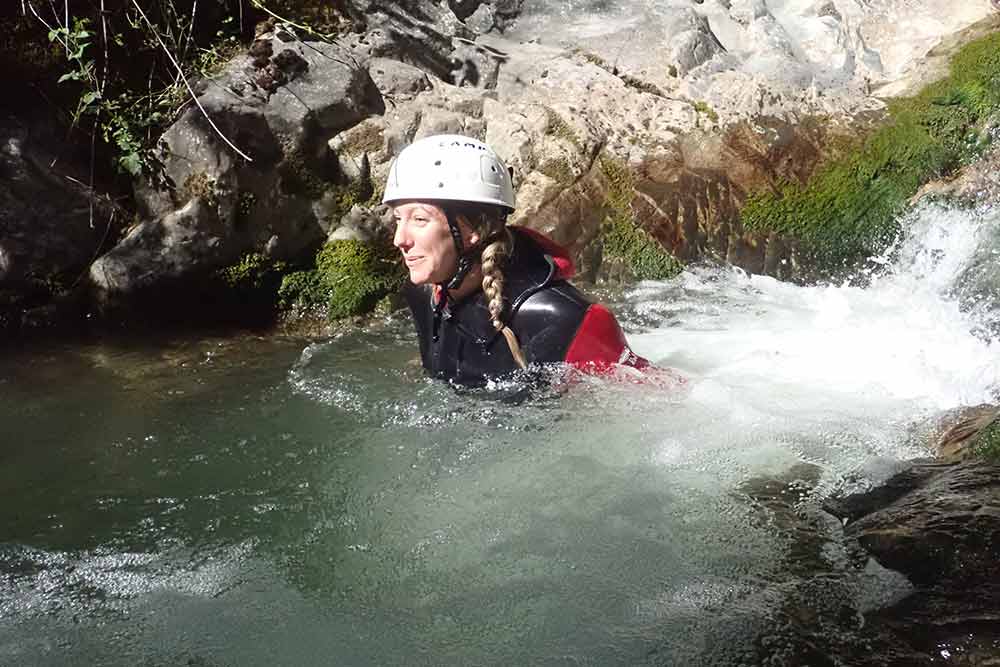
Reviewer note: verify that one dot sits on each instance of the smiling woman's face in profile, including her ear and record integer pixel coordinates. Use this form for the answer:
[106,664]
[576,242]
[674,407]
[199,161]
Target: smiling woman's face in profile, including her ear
[423,238]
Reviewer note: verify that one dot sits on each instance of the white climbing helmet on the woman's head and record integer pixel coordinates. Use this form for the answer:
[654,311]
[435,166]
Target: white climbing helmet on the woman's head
[449,167]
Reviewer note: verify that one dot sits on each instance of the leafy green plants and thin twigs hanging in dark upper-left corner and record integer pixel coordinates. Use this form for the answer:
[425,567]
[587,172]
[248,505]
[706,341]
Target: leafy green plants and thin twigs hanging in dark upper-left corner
[120,71]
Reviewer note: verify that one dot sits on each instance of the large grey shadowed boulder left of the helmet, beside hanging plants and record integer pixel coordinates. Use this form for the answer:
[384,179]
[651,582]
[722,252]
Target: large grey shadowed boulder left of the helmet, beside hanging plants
[278,105]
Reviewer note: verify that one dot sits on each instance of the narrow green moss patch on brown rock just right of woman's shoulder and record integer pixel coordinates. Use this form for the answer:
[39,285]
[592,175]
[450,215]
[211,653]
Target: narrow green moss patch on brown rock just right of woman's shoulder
[623,240]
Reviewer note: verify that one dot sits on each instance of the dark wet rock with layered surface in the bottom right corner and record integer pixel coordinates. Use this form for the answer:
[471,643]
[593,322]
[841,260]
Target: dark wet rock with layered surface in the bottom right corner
[938,523]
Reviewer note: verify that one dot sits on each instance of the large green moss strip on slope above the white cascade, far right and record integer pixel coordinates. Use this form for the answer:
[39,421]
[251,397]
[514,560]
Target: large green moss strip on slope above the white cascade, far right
[848,209]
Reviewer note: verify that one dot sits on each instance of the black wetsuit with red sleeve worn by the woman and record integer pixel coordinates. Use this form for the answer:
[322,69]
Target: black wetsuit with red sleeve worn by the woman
[552,320]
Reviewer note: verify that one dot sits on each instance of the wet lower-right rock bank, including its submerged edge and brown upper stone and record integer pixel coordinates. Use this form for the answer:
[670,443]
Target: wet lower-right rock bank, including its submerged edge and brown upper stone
[903,574]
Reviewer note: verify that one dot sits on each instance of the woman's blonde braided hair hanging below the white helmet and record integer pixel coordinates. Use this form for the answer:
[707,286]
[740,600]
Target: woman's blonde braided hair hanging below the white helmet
[490,223]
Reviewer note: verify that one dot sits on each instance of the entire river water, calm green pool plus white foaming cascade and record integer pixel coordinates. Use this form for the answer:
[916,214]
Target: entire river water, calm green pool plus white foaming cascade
[259,501]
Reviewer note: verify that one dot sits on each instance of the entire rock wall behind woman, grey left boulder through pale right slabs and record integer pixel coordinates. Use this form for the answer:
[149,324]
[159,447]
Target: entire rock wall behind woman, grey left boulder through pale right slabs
[664,116]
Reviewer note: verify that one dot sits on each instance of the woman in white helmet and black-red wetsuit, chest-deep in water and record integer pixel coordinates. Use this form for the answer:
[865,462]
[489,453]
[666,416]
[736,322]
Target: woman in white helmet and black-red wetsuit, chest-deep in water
[487,299]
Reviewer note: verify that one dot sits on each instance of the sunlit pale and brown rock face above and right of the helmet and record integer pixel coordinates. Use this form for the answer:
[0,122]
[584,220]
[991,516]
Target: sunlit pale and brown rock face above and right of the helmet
[730,105]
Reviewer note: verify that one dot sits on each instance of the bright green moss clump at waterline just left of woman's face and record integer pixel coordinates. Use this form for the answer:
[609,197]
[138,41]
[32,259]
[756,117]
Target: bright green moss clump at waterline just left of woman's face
[350,278]
